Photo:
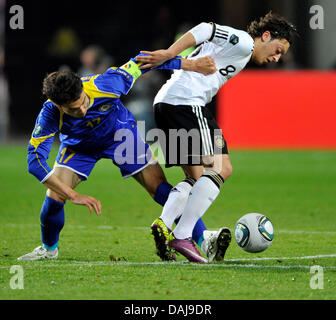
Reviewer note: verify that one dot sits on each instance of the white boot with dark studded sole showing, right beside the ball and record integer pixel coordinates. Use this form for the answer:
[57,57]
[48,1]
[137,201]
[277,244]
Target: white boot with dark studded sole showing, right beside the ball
[215,243]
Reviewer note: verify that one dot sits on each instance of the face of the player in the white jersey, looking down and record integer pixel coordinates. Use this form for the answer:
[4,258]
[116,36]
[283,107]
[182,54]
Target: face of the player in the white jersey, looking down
[269,50]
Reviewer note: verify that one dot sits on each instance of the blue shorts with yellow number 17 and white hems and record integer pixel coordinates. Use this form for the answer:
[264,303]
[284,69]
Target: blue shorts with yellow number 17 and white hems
[128,152]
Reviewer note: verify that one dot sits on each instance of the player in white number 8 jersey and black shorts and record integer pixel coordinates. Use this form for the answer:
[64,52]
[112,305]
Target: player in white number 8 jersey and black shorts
[181,104]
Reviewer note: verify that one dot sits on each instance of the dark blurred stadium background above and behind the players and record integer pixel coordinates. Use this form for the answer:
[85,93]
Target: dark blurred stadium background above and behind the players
[122,28]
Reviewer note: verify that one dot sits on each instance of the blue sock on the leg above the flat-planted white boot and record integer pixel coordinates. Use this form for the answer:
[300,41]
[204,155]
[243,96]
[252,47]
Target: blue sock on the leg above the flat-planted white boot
[52,222]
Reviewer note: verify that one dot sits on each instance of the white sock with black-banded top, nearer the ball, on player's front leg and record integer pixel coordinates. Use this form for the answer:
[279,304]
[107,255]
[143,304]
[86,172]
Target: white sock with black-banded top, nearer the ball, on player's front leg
[202,195]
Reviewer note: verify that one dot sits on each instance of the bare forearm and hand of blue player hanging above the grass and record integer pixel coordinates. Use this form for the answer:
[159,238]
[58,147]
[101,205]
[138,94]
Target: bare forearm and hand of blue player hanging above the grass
[65,192]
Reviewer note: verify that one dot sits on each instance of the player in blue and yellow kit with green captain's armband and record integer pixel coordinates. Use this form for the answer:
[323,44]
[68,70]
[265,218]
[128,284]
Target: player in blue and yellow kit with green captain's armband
[92,124]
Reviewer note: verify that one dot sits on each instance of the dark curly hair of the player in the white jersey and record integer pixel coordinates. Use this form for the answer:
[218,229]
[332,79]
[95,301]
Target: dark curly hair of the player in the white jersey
[278,26]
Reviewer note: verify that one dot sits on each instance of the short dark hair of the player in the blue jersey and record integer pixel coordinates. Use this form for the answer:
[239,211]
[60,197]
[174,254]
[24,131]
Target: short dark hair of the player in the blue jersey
[62,87]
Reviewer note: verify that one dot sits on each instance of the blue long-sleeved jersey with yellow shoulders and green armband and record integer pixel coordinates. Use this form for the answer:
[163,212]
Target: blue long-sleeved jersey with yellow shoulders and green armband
[96,129]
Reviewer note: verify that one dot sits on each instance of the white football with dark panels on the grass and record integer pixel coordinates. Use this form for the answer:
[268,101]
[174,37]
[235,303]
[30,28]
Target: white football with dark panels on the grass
[254,232]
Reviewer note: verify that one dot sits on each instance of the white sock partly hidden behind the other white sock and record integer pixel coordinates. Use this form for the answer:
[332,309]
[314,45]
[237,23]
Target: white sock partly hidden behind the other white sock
[176,202]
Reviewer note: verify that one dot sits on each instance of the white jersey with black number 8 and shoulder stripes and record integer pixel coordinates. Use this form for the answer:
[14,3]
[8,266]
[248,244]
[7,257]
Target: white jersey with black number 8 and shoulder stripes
[231,50]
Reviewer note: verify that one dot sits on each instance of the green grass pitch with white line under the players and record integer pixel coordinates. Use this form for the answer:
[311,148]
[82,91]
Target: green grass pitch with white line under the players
[112,256]
